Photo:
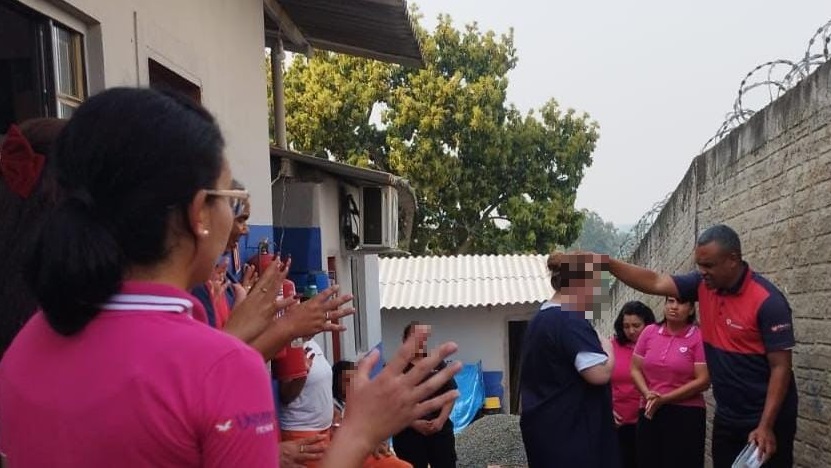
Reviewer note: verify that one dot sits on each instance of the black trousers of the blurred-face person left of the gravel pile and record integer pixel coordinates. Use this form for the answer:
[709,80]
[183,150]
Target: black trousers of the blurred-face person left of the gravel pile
[437,450]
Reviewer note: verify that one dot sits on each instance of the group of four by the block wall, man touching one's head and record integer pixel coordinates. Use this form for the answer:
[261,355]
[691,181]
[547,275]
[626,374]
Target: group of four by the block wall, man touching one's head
[636,399]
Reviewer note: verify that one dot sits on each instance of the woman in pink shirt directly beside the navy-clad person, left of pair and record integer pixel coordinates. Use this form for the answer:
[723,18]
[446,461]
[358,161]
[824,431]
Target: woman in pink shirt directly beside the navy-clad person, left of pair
[634,316]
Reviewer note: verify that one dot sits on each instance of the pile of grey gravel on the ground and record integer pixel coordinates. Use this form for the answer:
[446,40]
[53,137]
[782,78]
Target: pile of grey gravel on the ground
[491,440]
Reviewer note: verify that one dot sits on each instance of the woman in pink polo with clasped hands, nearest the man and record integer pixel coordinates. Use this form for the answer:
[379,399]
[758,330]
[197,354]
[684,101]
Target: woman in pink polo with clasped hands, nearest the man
[670,372]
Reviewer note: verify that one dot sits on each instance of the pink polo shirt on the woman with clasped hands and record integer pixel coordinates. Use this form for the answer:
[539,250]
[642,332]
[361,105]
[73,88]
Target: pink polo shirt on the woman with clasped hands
[669,360]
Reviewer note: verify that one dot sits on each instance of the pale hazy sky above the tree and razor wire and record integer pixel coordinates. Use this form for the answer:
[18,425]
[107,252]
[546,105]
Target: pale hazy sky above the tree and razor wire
[658,76]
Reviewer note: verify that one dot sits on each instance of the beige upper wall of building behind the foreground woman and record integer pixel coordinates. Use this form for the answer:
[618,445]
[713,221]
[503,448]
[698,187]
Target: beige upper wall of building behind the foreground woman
[215,44]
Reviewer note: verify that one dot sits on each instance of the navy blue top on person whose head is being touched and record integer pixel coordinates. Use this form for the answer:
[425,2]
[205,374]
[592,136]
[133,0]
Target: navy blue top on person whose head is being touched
[565,420]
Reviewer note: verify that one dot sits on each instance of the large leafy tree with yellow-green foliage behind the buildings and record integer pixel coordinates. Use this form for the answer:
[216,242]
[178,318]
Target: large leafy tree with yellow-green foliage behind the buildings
[489,178]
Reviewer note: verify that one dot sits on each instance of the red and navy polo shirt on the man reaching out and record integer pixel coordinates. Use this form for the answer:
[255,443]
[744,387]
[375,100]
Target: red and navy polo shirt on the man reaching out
[739,326]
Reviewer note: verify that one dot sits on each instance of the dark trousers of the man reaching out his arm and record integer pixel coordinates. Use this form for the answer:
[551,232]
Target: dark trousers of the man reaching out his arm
[730,439]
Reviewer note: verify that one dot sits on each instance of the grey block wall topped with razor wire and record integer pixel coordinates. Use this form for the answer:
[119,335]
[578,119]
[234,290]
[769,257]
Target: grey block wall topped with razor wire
[771,181]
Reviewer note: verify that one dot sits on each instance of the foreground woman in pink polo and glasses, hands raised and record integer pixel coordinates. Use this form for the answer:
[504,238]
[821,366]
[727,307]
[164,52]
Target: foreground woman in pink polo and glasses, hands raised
[114,370]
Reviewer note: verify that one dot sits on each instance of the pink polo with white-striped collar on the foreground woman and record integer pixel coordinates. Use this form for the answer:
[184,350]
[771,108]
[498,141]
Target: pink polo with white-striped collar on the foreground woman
[144,384]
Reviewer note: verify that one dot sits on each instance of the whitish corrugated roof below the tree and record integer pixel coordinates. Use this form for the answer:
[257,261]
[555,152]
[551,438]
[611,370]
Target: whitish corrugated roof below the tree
[463,281]
